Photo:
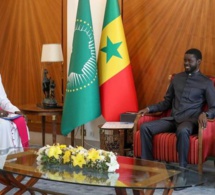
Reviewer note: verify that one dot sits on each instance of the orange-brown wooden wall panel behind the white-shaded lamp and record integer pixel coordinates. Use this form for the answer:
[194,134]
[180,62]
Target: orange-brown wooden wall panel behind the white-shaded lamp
[24,26]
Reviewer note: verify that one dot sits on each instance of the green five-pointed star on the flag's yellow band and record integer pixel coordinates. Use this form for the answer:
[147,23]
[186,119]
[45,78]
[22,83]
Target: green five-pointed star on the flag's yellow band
[111,49]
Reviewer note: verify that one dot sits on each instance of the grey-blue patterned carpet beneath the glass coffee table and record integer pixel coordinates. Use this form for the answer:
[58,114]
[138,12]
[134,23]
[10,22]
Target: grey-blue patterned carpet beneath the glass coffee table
[72,189]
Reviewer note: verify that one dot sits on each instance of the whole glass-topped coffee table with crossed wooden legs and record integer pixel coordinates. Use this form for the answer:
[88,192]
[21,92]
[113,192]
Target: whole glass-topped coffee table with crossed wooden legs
[139,175]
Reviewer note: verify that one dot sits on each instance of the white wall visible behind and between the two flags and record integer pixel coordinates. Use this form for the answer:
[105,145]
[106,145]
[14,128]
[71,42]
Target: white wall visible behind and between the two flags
[97,12]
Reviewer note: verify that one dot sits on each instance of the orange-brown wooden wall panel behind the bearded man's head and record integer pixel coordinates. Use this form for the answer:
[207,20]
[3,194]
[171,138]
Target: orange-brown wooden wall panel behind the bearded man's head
[158,33]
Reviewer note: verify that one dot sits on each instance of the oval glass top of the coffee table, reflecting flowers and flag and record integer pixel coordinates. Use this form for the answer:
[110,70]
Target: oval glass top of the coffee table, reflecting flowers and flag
[133,173]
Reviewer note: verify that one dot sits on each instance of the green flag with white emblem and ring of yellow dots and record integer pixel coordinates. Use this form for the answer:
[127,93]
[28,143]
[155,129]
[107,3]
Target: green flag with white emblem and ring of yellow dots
[82,102]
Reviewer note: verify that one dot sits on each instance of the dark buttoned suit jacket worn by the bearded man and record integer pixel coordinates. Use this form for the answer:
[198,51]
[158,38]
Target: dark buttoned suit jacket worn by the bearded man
[186,95]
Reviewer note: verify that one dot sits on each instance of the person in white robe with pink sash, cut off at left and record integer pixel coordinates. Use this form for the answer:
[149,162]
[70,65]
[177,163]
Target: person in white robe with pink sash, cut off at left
[13,129]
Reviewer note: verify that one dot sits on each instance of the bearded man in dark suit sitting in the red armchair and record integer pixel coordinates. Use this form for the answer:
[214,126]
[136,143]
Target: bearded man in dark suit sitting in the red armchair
[186,95]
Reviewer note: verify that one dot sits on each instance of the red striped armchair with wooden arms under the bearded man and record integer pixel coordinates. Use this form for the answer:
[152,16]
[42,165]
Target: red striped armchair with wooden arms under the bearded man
[202,145]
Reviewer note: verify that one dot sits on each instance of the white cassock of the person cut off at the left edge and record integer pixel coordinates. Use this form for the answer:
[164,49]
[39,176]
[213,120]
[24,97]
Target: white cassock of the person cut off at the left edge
[9,136]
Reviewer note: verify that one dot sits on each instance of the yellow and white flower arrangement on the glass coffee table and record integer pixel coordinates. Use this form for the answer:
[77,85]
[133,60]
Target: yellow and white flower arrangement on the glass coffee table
[77,157]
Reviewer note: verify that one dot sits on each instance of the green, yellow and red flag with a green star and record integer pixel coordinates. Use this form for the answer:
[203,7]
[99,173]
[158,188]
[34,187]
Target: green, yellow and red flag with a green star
[117,90]
